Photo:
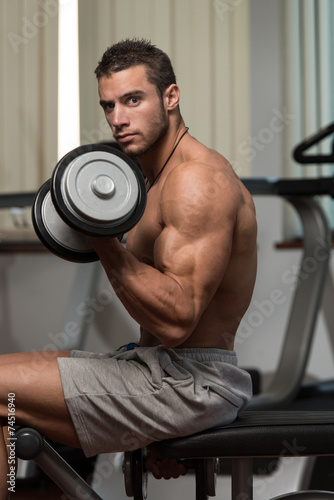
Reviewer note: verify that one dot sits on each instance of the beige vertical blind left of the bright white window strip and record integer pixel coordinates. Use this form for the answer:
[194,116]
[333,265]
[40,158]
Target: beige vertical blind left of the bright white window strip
[28,97]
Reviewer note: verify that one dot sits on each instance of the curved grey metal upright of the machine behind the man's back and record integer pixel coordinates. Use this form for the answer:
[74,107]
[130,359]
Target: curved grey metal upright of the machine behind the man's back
[309,286]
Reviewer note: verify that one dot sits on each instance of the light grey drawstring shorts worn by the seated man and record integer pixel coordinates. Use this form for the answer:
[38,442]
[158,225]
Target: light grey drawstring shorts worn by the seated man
[127,399]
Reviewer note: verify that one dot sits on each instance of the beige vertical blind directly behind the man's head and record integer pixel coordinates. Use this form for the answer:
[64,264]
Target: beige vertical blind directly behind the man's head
[208,42]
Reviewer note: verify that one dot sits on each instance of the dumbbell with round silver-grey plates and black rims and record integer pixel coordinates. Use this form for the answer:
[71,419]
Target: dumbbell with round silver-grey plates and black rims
[95,190]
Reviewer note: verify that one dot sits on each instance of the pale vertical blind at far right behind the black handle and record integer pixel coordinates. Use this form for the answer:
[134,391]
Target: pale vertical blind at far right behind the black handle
[308,72]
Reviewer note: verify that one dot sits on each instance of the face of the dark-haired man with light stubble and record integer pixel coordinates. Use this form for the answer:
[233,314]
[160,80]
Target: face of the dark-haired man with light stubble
[133,109]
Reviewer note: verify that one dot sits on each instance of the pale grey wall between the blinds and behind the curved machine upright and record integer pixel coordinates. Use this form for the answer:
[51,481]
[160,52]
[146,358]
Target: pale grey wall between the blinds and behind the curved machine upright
[262,346]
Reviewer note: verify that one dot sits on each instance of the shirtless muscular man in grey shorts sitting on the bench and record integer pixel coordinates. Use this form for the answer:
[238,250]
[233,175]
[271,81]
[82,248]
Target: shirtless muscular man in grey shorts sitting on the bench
[186,276]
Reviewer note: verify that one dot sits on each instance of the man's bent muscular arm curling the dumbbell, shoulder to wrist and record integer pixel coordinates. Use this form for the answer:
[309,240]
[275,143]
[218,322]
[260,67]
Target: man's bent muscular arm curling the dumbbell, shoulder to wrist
[191,254]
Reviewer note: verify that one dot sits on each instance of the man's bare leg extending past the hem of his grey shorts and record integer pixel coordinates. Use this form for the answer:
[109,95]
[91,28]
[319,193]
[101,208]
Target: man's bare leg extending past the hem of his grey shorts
[39,401]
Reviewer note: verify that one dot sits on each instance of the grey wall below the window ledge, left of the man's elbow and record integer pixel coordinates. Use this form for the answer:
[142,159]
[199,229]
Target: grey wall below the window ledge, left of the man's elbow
[39,311]
